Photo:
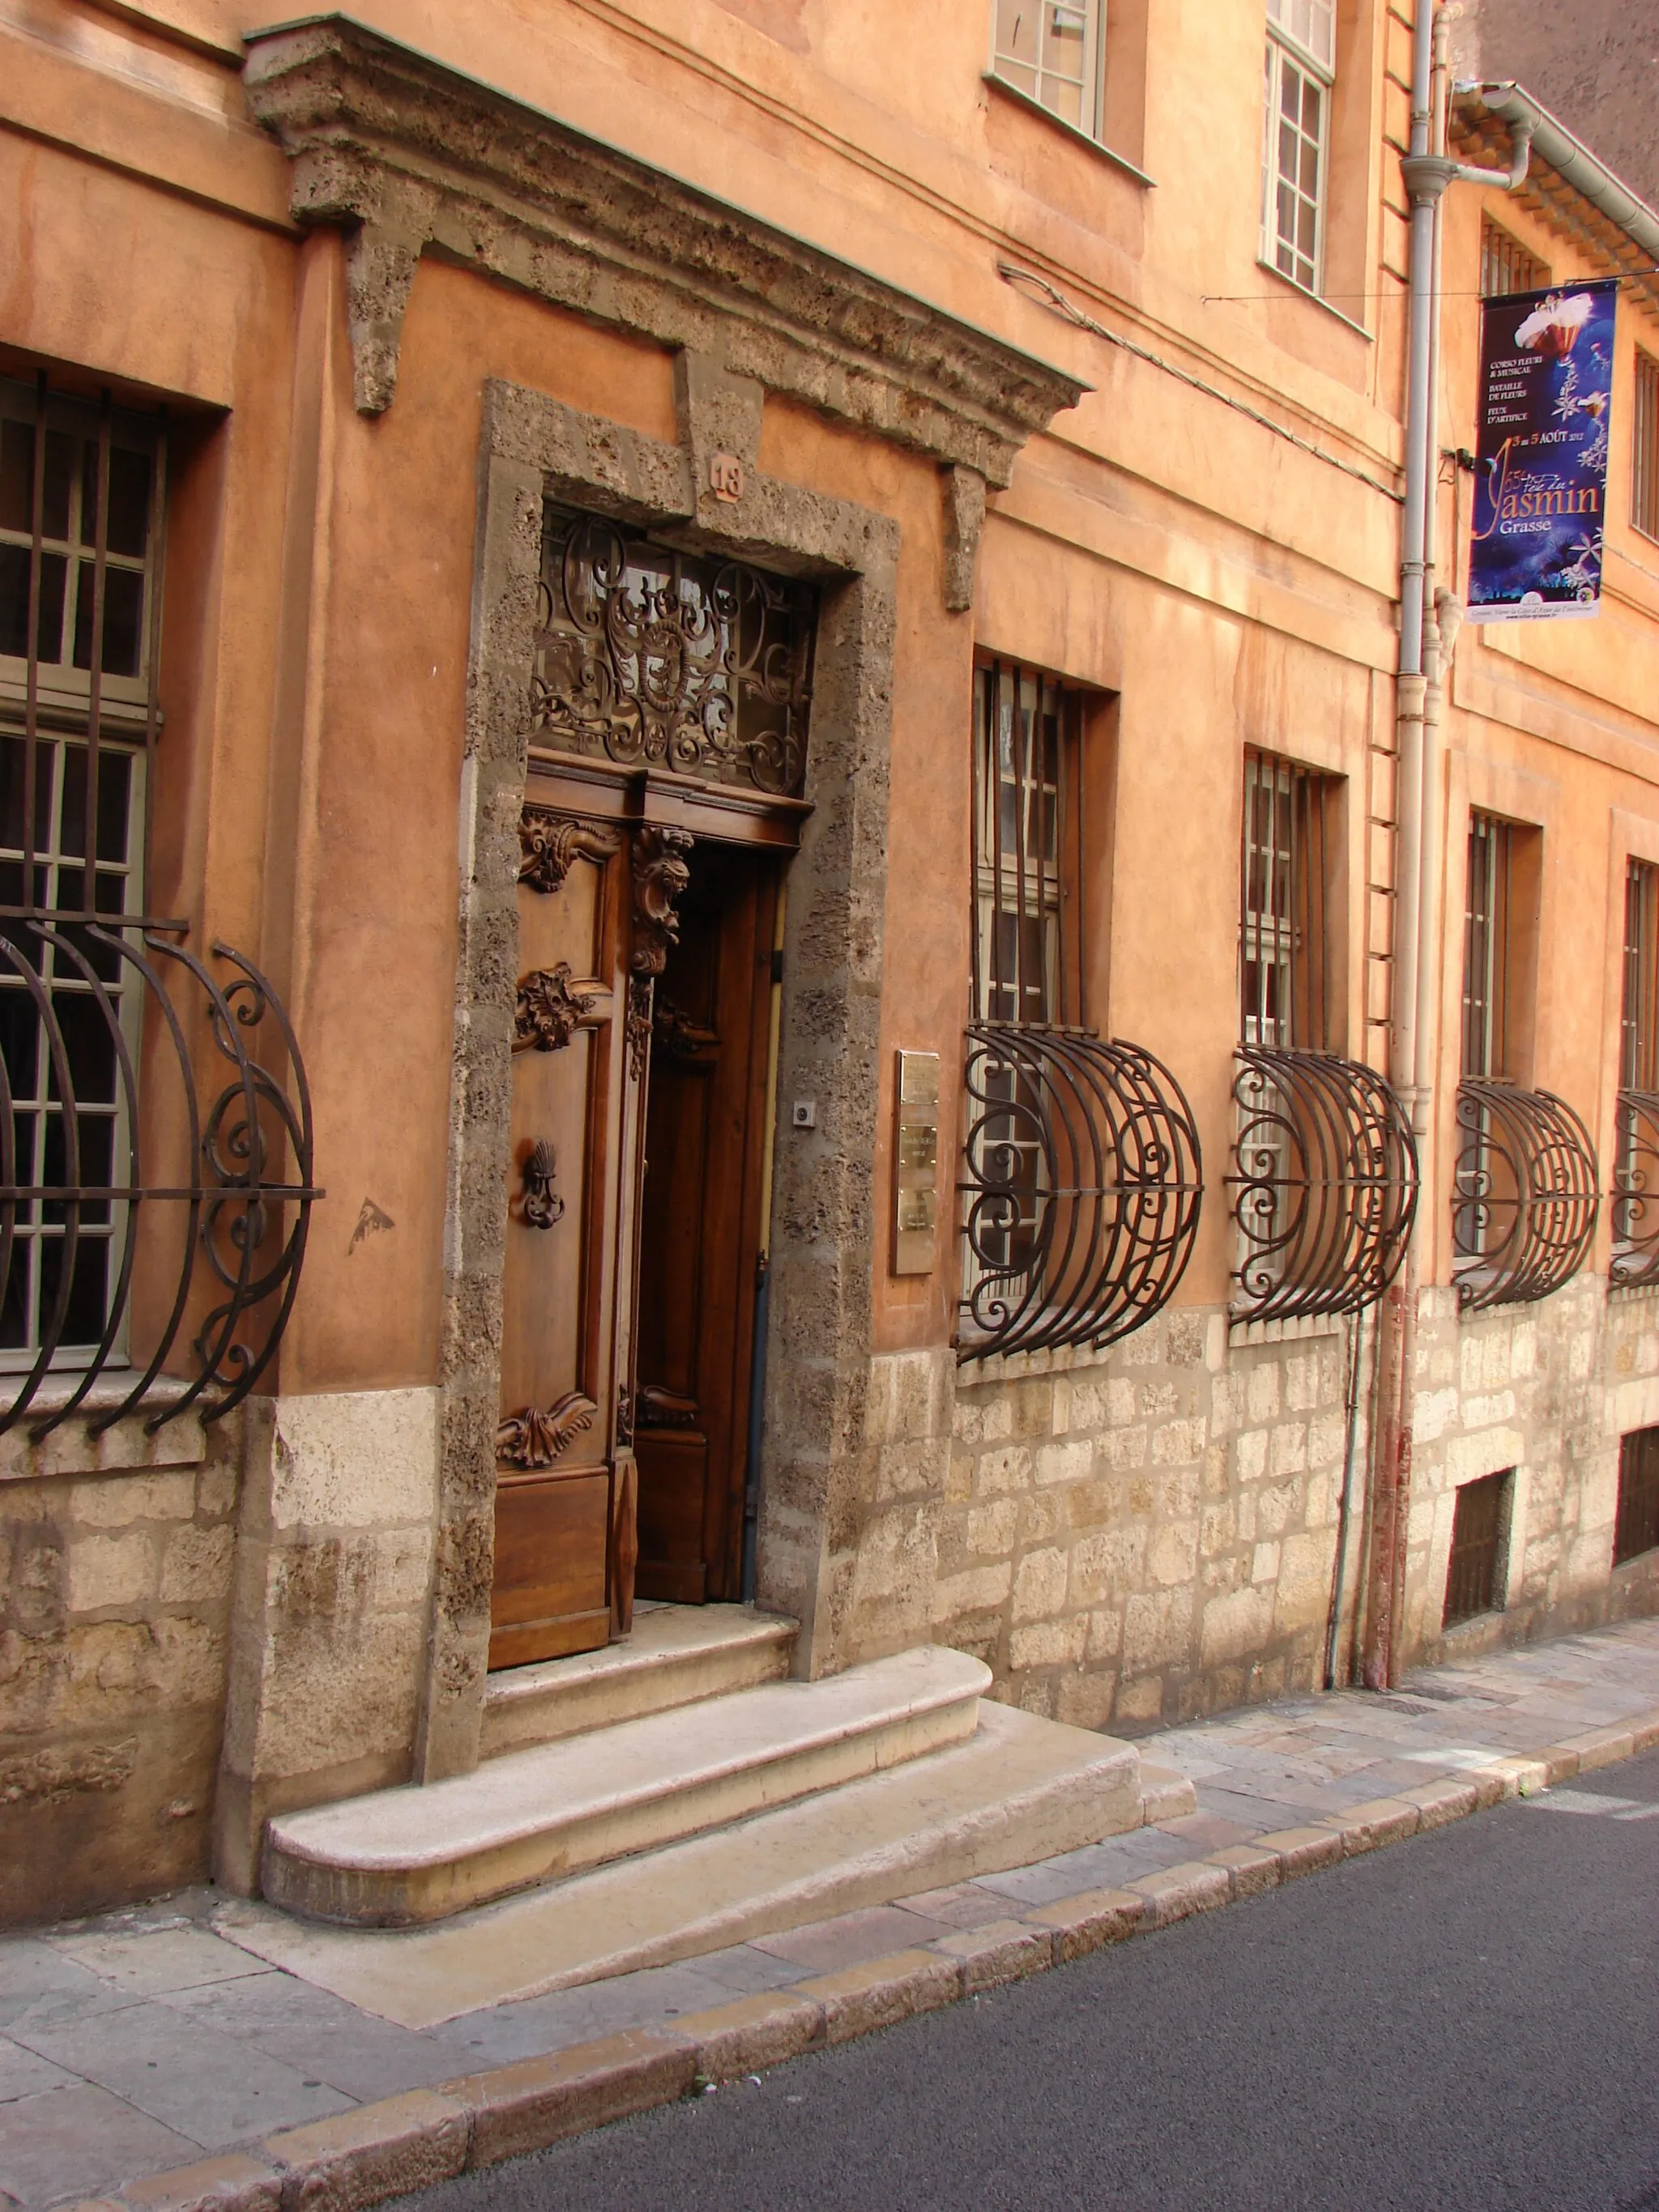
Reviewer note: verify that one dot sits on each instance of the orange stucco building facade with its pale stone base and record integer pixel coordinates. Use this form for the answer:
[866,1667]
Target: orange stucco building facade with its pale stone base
[1207,545]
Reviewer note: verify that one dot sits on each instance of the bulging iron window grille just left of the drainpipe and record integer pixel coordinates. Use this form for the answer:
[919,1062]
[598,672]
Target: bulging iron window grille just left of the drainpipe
[1324,1185]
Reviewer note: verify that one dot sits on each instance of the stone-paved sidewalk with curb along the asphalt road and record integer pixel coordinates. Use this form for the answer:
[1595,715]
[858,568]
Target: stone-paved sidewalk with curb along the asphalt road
[147,2041]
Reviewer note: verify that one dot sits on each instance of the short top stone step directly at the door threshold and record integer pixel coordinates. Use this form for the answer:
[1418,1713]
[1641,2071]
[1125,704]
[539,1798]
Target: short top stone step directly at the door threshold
[676,1656]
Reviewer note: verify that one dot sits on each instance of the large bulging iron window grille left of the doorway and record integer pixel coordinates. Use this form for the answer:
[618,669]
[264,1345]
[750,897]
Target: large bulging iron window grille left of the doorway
[101,1224]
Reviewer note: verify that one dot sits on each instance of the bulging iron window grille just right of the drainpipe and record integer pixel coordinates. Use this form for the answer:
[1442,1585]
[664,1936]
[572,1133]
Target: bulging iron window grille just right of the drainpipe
[1525,1196]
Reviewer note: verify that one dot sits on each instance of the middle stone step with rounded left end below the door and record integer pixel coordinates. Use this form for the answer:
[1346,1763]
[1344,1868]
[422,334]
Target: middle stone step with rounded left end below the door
[401,1857]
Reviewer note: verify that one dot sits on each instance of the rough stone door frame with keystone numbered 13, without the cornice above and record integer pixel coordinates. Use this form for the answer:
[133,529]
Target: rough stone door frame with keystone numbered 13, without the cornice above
[824,1233]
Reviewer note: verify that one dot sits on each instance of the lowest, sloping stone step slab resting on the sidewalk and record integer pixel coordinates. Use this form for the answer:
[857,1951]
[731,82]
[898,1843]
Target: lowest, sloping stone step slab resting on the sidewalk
[1014,1793]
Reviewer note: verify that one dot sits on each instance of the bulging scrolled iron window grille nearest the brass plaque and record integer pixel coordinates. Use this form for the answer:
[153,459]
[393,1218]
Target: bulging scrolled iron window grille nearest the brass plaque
[1081,1189]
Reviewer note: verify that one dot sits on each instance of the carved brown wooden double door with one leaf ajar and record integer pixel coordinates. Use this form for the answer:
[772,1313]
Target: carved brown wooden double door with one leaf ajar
[636,1196]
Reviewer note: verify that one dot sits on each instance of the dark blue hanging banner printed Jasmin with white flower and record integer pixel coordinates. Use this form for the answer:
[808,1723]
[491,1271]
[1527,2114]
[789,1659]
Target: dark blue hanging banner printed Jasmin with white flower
[1543,455]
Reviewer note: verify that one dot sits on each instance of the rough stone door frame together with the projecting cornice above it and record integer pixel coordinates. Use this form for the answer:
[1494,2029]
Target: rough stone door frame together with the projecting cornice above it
[410,156]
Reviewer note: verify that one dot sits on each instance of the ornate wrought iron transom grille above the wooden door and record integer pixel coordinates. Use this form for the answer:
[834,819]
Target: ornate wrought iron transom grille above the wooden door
[658,658]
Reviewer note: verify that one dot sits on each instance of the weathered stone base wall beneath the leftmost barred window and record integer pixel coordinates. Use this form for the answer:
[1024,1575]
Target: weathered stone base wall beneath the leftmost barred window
[116,1563]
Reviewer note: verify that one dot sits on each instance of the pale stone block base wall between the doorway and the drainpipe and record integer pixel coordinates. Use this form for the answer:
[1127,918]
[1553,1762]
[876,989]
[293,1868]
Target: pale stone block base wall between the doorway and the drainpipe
[1147,1534]
